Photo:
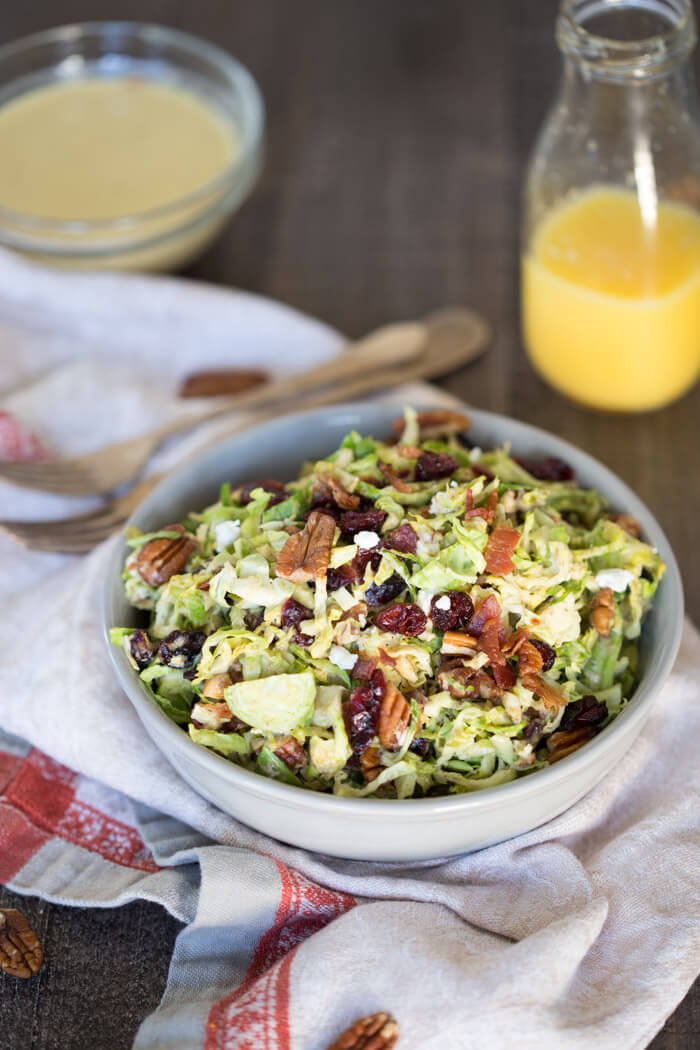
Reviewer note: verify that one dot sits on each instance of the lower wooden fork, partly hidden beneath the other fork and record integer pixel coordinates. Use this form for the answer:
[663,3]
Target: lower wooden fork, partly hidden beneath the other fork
[452,343]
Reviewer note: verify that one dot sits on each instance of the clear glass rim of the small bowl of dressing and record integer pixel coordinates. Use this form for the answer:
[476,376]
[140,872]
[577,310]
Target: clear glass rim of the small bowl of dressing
[239,78]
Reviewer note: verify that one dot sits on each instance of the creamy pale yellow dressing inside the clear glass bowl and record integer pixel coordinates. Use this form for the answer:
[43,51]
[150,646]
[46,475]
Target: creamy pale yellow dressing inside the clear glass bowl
[103,149]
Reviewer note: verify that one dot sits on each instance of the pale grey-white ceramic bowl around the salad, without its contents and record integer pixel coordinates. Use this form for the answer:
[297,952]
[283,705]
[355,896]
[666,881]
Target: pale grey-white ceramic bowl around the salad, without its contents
[389,830]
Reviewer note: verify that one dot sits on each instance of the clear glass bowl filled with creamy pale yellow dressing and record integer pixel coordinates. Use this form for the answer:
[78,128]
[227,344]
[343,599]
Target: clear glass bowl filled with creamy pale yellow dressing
[124,146]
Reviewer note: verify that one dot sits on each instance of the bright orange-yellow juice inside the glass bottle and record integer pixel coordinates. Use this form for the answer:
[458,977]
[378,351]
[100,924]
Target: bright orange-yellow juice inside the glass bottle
[611,310]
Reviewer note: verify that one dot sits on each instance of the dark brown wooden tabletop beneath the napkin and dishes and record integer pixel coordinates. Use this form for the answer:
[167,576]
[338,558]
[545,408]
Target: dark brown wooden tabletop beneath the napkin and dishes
[398,132]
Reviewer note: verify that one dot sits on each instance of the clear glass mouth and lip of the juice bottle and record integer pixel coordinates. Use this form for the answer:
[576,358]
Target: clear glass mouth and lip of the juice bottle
[626,41]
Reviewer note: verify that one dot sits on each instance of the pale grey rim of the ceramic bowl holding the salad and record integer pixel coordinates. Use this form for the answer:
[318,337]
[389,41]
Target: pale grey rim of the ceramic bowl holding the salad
[629,722]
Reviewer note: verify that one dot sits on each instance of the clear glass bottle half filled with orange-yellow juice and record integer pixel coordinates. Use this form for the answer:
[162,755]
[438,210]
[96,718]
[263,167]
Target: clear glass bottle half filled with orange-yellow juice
[611,233]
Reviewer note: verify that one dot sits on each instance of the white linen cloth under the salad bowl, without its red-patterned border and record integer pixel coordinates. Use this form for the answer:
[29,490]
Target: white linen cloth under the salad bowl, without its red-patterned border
[582,934]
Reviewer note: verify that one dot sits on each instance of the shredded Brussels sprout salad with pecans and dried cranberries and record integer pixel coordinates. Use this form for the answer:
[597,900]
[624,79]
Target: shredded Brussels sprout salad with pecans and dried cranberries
[409,618]
